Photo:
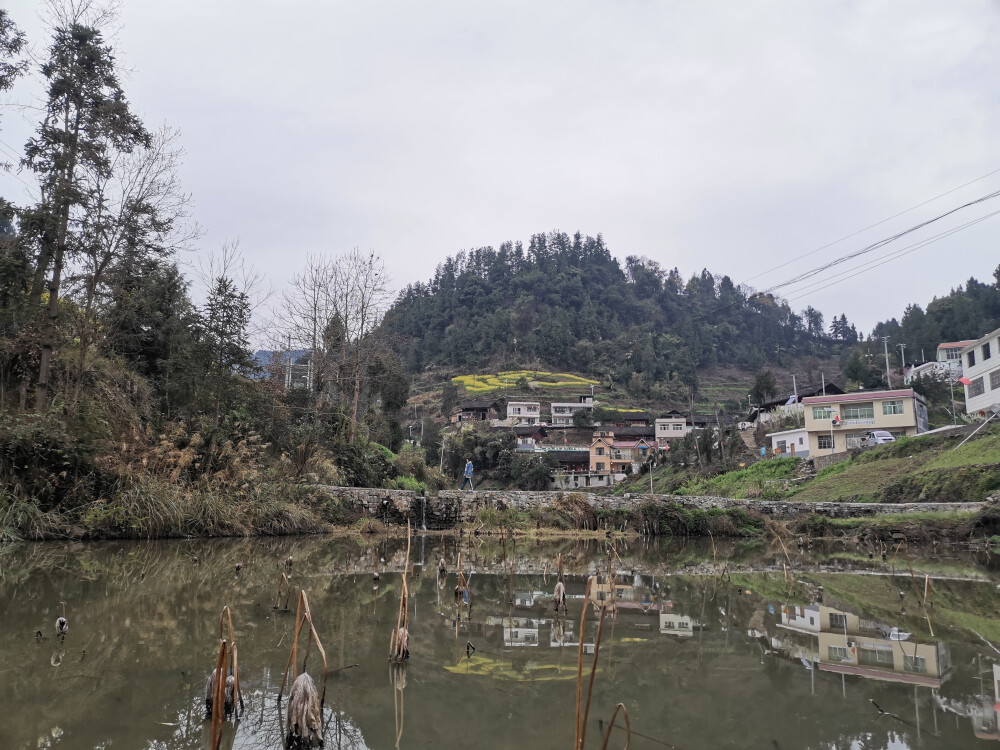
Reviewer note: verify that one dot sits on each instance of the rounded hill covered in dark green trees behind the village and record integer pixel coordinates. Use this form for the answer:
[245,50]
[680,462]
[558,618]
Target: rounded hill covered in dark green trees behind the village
[567,303]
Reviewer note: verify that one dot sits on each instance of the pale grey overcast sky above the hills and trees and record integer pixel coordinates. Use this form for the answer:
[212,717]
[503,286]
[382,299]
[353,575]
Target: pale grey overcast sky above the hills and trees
[729,135]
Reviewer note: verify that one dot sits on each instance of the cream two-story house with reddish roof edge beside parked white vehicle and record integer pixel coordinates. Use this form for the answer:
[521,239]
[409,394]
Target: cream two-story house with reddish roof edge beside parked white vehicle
[837,423]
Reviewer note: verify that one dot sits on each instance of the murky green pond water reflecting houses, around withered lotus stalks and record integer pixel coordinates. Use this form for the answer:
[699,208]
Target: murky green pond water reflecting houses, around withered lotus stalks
[728,647]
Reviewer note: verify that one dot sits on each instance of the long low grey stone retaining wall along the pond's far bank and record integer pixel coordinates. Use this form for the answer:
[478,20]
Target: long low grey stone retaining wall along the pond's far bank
[453,506]
